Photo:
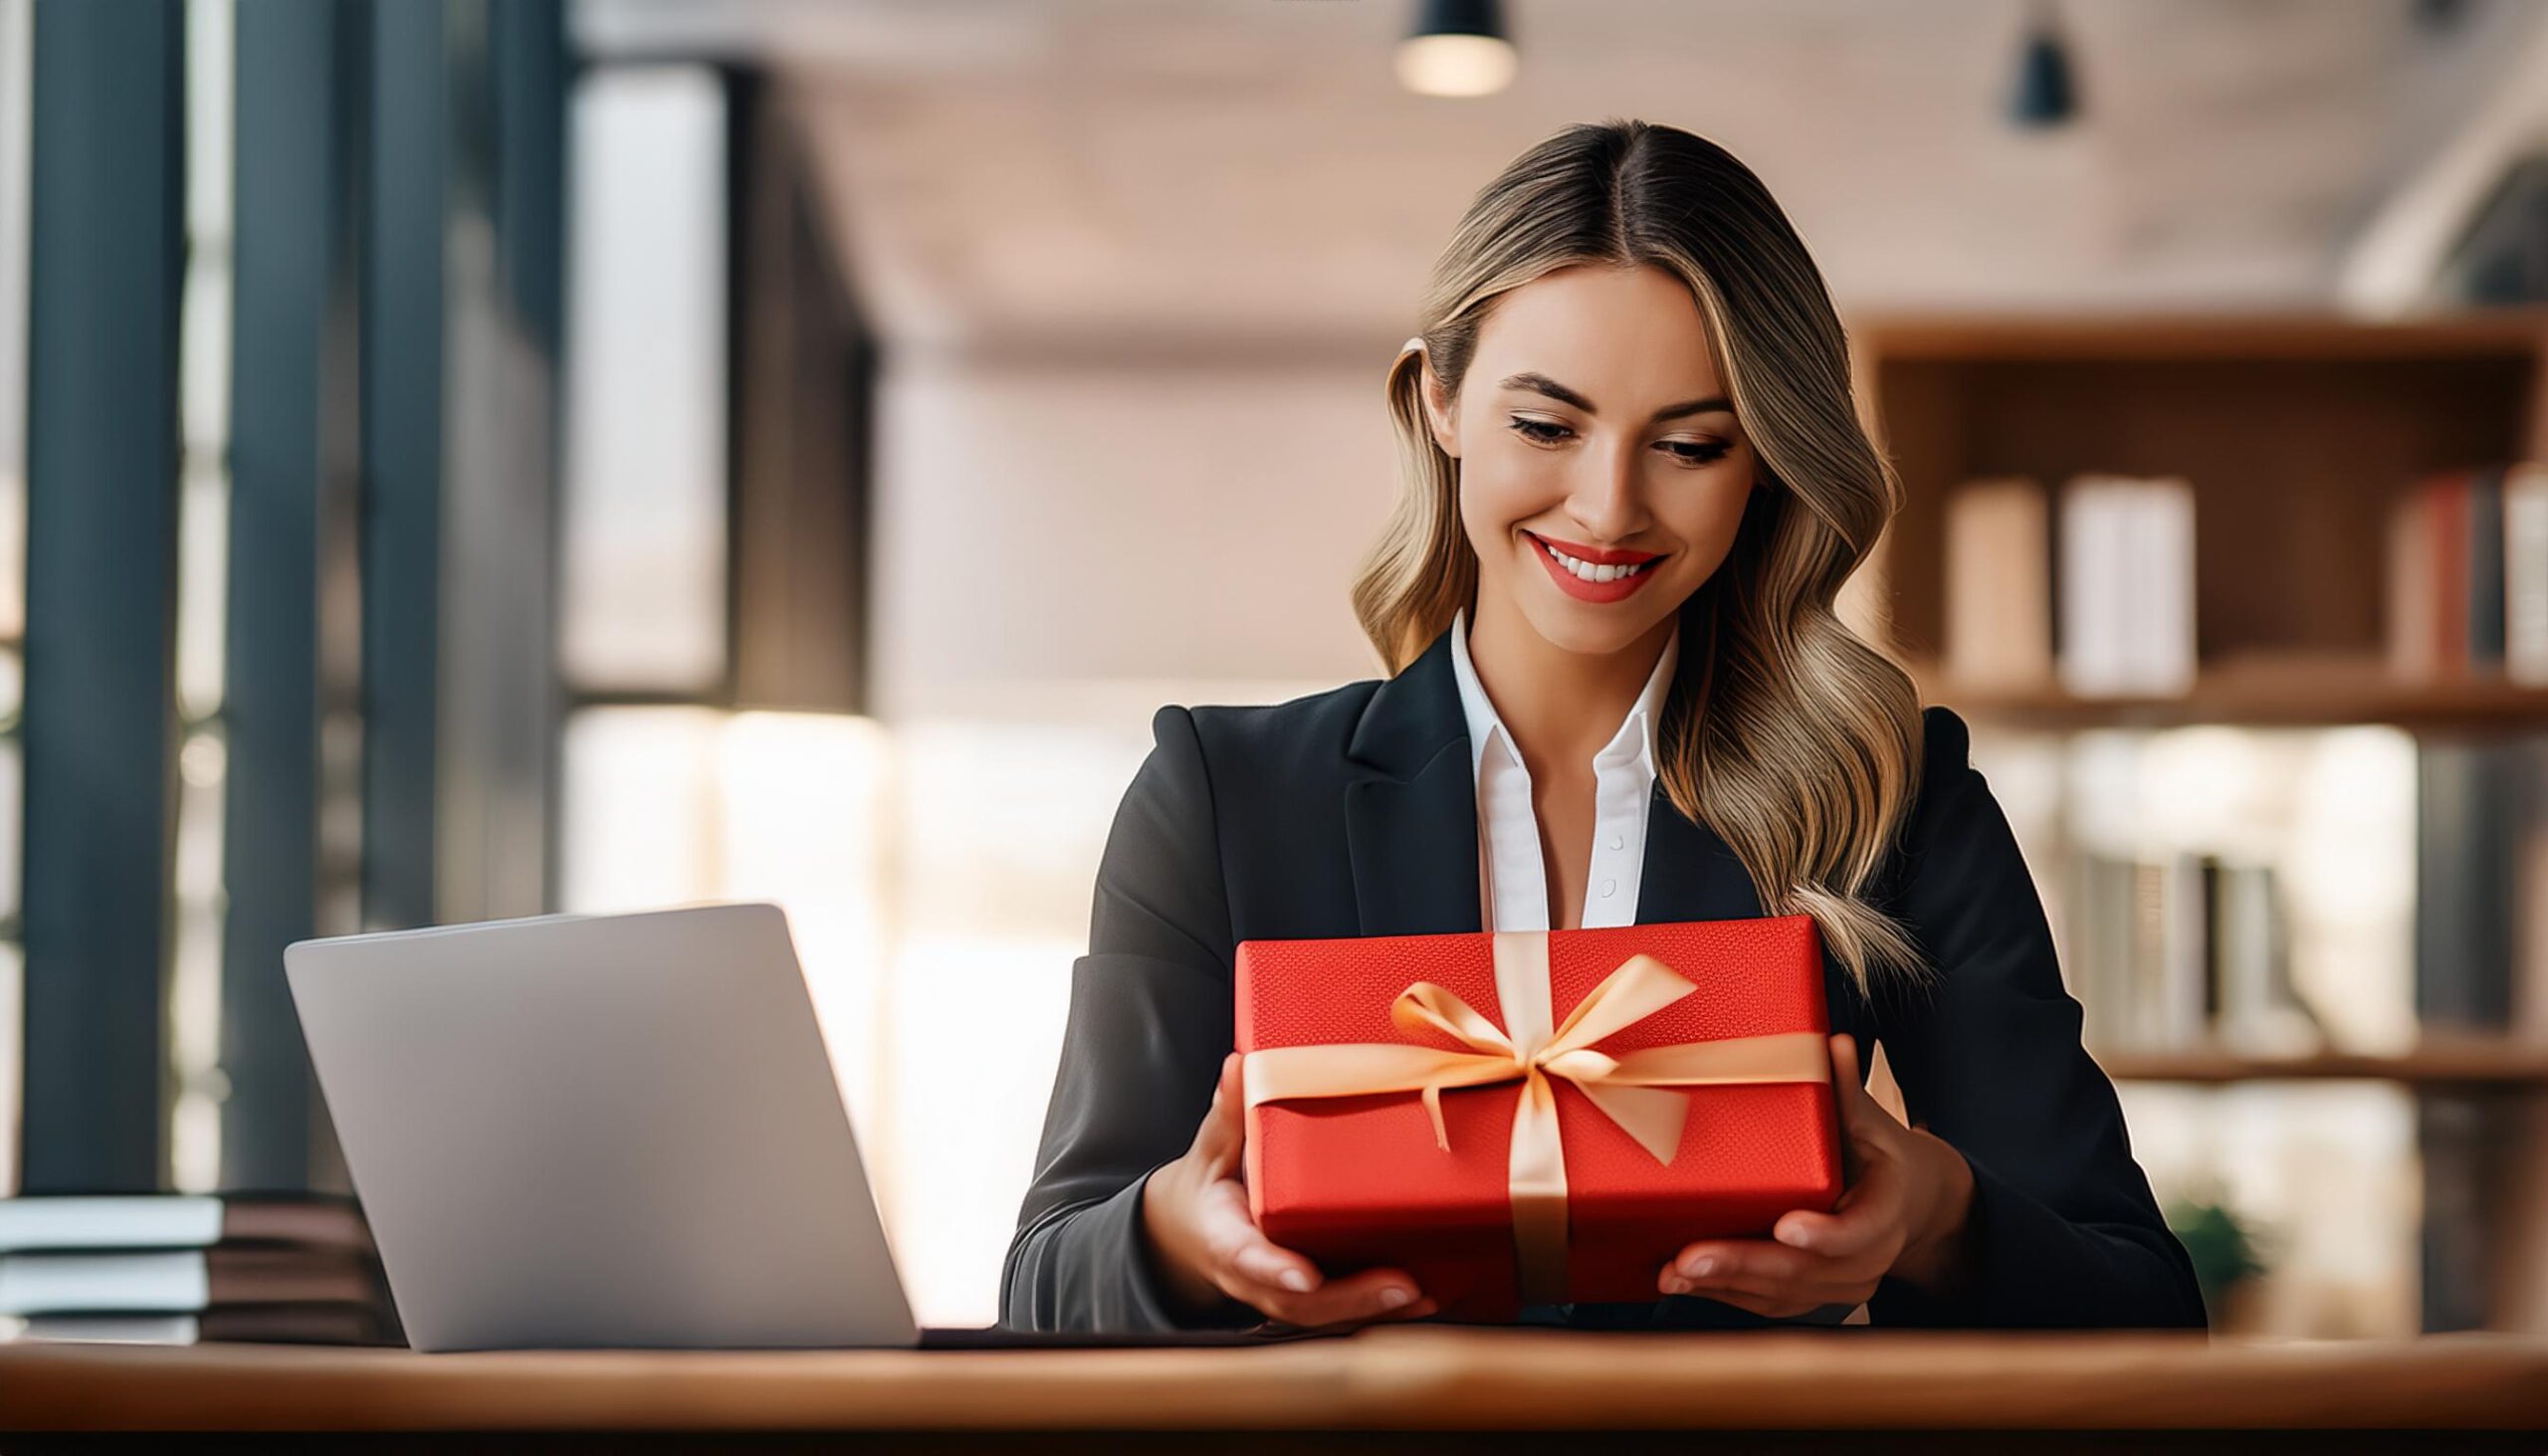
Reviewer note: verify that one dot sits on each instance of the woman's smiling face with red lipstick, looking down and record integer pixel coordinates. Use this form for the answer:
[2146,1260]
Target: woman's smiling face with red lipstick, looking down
[1594,422]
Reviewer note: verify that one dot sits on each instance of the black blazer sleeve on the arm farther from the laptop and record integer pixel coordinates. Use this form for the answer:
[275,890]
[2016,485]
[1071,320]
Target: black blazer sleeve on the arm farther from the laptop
[1991,1059]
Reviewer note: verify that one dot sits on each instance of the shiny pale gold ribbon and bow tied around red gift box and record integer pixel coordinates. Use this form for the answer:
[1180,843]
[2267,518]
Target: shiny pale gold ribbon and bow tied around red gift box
[1632,1090]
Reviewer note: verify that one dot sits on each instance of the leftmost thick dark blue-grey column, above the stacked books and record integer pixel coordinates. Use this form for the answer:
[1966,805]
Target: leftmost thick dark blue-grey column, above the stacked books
[101,621]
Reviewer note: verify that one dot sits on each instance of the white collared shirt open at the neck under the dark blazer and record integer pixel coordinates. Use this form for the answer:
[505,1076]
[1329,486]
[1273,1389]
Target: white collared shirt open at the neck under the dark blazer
[1515,884]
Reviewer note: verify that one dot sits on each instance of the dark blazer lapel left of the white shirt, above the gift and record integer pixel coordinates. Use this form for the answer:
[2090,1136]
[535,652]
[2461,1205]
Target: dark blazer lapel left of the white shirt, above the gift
[1413,807]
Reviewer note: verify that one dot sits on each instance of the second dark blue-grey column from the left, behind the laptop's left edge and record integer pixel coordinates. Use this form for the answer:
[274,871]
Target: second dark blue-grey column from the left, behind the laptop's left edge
[294,381]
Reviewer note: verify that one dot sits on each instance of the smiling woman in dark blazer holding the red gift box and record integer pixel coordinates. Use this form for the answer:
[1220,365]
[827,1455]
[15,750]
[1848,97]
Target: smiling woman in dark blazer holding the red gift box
[1635,483]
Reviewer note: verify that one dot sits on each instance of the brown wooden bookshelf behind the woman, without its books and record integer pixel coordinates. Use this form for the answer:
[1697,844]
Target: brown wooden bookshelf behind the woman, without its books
[2297,435]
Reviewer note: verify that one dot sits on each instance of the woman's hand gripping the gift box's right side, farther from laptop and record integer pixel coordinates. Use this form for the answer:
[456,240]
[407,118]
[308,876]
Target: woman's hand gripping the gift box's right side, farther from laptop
[1905,1212]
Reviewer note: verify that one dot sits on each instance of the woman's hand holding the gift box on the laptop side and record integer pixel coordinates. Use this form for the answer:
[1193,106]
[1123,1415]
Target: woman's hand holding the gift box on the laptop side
[1206,1246]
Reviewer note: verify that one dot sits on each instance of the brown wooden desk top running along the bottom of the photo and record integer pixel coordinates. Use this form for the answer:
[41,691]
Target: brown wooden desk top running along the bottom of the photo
[1387,1383]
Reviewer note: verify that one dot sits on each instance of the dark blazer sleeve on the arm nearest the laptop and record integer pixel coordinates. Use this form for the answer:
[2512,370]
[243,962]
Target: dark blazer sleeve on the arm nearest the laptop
[1150,1021]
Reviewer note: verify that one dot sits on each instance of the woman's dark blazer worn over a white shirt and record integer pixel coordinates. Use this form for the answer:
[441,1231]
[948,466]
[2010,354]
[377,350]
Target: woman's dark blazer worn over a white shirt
[1354,815]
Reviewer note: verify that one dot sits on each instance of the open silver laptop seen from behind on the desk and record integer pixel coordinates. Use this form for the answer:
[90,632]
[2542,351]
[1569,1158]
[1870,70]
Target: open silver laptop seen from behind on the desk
[600,1131]
